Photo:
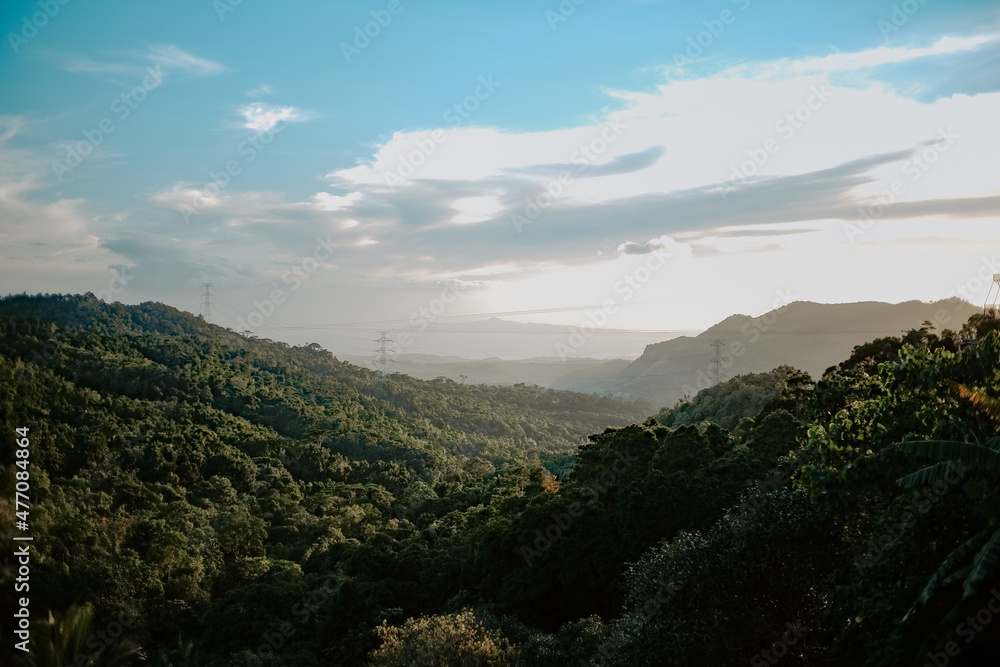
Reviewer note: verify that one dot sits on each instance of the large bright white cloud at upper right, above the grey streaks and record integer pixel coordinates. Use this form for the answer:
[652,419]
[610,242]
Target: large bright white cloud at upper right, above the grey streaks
[800,108]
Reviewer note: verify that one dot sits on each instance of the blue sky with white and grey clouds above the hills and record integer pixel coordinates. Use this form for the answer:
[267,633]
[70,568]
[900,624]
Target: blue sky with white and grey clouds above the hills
[333,168]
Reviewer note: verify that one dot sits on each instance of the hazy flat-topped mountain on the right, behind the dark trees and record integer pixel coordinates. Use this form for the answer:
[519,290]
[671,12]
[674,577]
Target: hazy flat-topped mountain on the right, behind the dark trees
[805,335]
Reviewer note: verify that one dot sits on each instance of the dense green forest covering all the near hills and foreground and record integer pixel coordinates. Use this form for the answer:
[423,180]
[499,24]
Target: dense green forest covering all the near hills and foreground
[233,501]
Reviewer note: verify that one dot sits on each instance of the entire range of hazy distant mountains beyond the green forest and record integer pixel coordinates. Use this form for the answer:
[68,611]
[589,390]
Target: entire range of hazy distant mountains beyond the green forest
[809,336]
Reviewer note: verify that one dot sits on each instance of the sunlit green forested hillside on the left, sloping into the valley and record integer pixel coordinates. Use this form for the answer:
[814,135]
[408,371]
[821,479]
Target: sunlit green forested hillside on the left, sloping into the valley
[175,462]
